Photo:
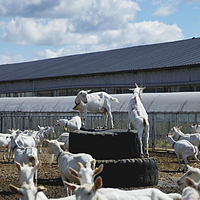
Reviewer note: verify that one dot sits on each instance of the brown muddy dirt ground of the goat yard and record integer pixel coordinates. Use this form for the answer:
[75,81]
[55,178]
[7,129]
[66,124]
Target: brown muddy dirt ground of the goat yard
[48,175]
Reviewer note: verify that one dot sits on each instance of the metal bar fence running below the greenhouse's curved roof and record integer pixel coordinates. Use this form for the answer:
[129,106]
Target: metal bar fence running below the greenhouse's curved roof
[160,123]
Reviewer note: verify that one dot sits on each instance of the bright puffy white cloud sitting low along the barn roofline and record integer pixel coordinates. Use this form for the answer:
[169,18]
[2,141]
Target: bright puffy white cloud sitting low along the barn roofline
[147,32]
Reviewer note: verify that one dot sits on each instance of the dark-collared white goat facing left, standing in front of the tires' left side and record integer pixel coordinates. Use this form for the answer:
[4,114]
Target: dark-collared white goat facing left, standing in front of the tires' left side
[66,159]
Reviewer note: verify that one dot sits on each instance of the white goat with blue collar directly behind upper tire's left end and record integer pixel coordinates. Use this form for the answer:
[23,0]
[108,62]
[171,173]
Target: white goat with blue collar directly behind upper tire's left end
[71,125]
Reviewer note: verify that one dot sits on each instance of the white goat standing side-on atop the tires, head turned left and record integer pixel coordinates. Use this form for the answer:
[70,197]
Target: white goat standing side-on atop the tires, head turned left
[94,102]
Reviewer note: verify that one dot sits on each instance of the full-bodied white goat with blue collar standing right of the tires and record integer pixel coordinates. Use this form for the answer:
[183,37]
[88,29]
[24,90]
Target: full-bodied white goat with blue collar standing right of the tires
[183,148]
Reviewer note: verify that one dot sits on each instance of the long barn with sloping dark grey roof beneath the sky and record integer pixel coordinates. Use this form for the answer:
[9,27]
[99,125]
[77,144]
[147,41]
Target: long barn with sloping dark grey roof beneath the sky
[163,67]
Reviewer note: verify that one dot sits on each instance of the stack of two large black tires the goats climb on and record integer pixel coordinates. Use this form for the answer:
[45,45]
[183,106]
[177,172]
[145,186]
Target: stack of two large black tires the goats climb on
[119,151]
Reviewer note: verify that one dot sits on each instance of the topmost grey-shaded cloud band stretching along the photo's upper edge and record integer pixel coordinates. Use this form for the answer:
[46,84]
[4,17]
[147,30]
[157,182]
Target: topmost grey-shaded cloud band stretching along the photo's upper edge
[93,11]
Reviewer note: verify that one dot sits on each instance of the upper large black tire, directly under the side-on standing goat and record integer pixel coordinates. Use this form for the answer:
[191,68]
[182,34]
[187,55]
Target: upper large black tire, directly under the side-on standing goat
[106,144]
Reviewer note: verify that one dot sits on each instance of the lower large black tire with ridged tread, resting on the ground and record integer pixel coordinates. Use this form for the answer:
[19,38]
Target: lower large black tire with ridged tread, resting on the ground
[127,173]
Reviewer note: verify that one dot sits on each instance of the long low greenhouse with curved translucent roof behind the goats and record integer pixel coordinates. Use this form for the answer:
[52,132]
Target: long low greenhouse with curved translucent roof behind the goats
[165,110]
